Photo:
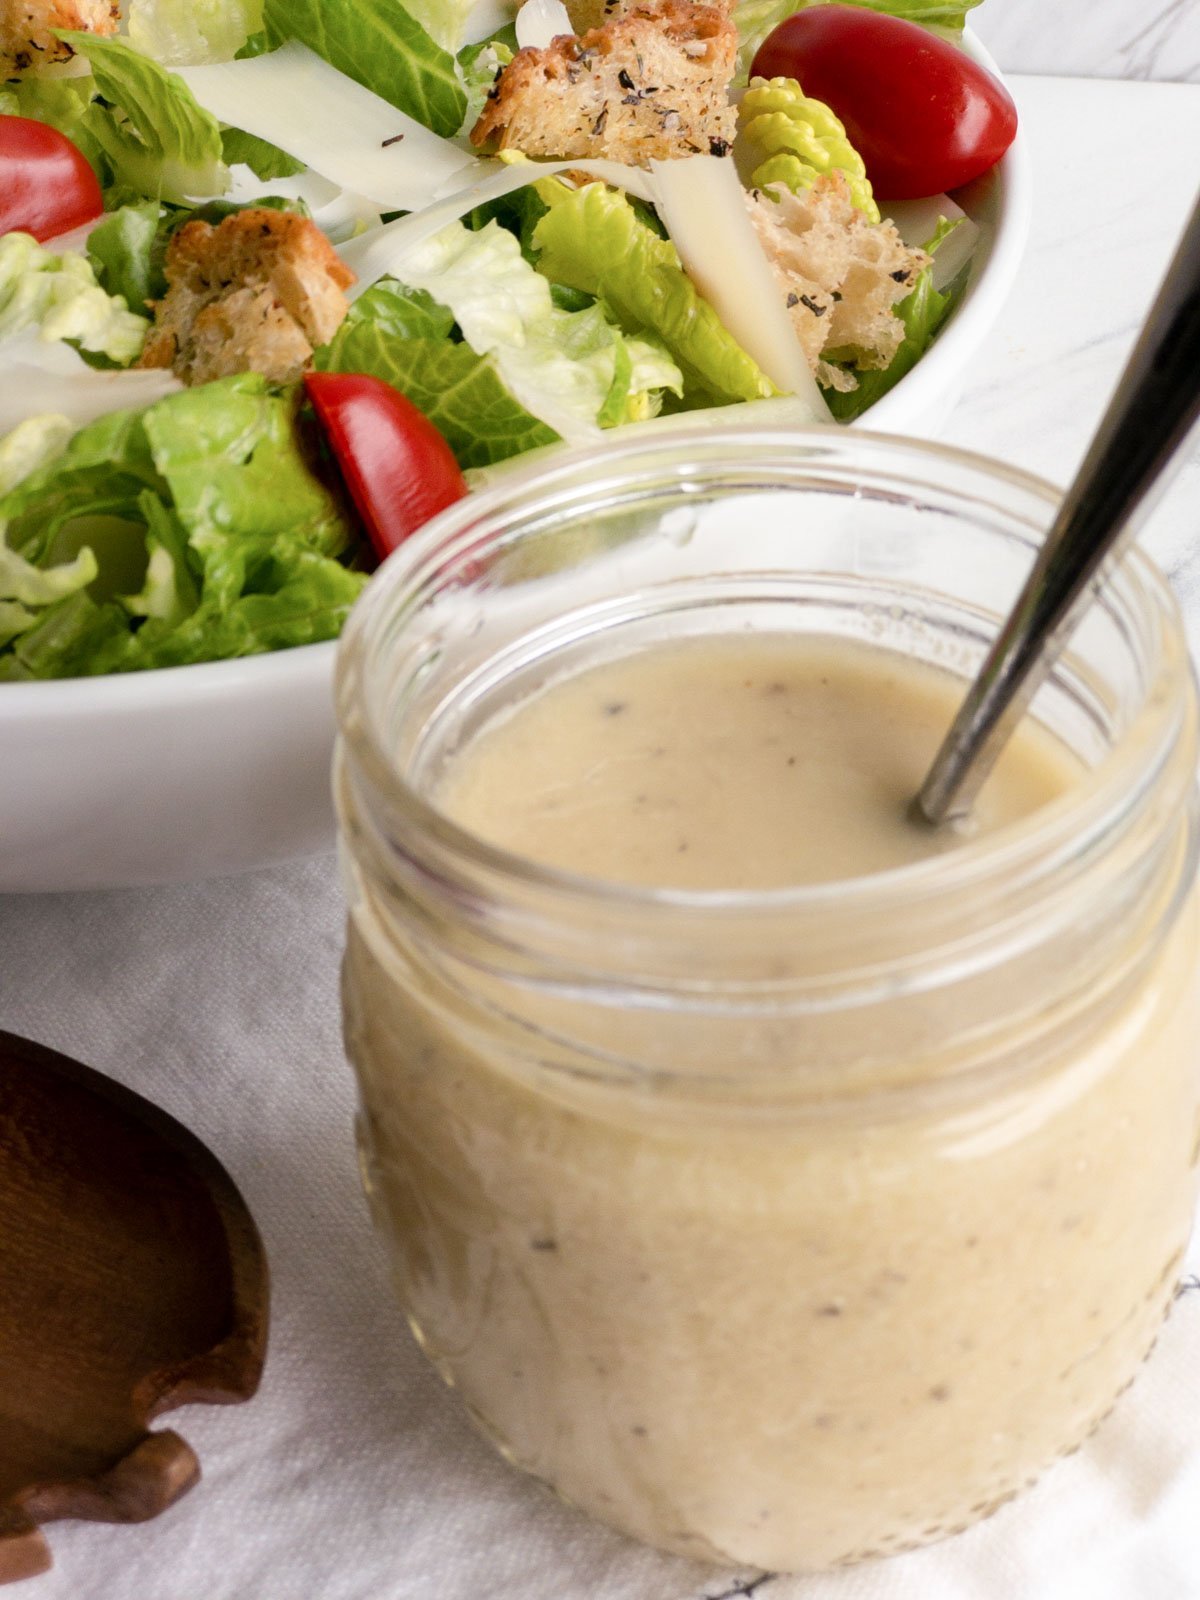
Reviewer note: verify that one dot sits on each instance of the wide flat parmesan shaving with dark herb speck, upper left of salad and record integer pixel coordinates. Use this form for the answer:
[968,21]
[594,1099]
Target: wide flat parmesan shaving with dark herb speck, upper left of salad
[346,134]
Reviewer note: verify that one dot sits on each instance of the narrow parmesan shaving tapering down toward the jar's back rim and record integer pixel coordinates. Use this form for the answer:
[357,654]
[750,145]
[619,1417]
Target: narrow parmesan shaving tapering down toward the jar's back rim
[703,206]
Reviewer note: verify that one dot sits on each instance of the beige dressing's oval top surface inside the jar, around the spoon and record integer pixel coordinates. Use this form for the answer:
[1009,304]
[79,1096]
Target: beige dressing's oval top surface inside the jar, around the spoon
[745,762]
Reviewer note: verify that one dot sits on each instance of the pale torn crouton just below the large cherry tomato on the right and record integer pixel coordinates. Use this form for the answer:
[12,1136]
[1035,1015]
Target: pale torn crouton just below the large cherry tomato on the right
[841,274]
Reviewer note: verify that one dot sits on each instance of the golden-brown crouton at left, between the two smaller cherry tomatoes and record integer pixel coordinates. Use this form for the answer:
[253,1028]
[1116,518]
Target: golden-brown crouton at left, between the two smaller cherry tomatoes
[254,295]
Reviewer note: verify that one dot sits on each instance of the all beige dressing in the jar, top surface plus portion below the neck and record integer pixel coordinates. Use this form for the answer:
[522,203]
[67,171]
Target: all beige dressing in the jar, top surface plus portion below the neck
[790,1340]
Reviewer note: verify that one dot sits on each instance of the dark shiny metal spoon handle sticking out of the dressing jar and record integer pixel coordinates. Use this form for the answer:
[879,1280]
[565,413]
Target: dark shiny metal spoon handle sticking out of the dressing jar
[1151,414]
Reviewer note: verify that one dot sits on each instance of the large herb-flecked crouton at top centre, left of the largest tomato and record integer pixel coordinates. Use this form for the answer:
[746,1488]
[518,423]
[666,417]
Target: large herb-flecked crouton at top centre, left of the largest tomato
[652,82]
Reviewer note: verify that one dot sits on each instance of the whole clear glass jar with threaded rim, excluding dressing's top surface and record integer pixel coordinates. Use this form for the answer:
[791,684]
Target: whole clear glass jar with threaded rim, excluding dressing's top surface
[799,1226]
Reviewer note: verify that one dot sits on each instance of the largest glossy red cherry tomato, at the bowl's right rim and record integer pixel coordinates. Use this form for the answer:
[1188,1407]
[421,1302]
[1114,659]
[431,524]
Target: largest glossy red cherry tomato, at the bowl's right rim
[922,116]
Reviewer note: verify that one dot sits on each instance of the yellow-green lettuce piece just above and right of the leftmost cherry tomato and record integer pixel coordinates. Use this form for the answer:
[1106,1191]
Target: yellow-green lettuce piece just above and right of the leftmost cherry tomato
[154,137]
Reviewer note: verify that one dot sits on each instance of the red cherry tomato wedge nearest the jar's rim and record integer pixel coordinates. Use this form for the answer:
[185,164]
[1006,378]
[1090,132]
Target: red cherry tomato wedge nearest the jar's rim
[398,468]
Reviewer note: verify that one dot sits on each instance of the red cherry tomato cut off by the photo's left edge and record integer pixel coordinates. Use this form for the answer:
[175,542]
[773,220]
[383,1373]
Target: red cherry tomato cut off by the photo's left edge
[47,186]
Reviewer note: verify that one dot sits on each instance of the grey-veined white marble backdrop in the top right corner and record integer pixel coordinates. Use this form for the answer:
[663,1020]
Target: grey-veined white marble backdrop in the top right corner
[1103,39]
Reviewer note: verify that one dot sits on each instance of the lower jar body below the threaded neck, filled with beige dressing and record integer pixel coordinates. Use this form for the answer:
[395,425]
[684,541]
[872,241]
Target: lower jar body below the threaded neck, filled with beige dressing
[791,1343]
